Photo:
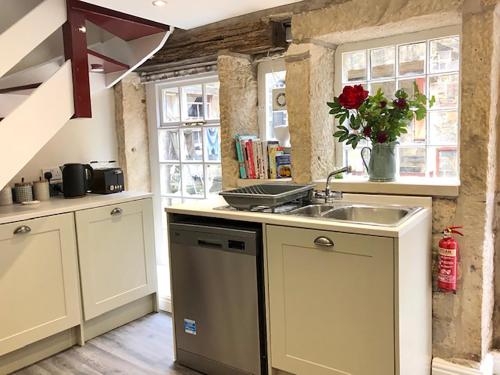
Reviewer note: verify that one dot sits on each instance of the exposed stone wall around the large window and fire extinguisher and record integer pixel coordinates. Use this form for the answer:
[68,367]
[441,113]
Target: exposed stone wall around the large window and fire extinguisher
[462,323]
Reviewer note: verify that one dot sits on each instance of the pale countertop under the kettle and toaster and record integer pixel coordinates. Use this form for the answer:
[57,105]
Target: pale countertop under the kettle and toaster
[59,205]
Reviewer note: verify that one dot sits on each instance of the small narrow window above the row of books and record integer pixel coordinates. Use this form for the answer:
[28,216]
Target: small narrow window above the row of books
[273,115]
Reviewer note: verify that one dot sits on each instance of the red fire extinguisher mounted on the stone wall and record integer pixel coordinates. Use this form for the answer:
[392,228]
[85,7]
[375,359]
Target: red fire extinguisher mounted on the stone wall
[448,260]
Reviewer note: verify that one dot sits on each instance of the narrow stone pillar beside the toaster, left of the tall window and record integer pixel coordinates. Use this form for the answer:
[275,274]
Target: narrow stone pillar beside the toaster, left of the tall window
[132,133]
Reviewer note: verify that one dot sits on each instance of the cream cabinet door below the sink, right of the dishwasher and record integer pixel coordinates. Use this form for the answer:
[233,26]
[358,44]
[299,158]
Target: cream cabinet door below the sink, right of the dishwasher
[331,308]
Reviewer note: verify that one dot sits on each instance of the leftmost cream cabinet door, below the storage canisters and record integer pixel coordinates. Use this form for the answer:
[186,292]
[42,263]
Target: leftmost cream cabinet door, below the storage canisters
[39,291]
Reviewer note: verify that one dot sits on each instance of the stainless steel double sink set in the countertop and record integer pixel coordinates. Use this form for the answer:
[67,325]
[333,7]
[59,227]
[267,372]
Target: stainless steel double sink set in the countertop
[371,214]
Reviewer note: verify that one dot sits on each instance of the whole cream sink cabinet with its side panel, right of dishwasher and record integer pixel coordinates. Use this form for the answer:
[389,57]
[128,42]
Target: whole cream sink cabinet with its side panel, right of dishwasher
[334,303]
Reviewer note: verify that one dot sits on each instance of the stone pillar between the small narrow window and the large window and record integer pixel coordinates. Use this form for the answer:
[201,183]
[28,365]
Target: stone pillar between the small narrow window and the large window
[309,78]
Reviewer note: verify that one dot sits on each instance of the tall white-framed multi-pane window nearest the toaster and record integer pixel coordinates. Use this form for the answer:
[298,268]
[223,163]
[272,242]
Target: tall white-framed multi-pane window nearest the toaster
[189,140]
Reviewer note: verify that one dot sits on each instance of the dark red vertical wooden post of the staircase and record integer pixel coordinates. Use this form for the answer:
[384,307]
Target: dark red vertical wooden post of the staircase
[75,49]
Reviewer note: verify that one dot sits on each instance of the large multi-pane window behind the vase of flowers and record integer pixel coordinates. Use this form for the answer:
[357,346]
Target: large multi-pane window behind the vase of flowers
[431,60]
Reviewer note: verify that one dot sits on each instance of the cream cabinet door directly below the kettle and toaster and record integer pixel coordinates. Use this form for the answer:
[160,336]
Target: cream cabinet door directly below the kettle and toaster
[116,251]
